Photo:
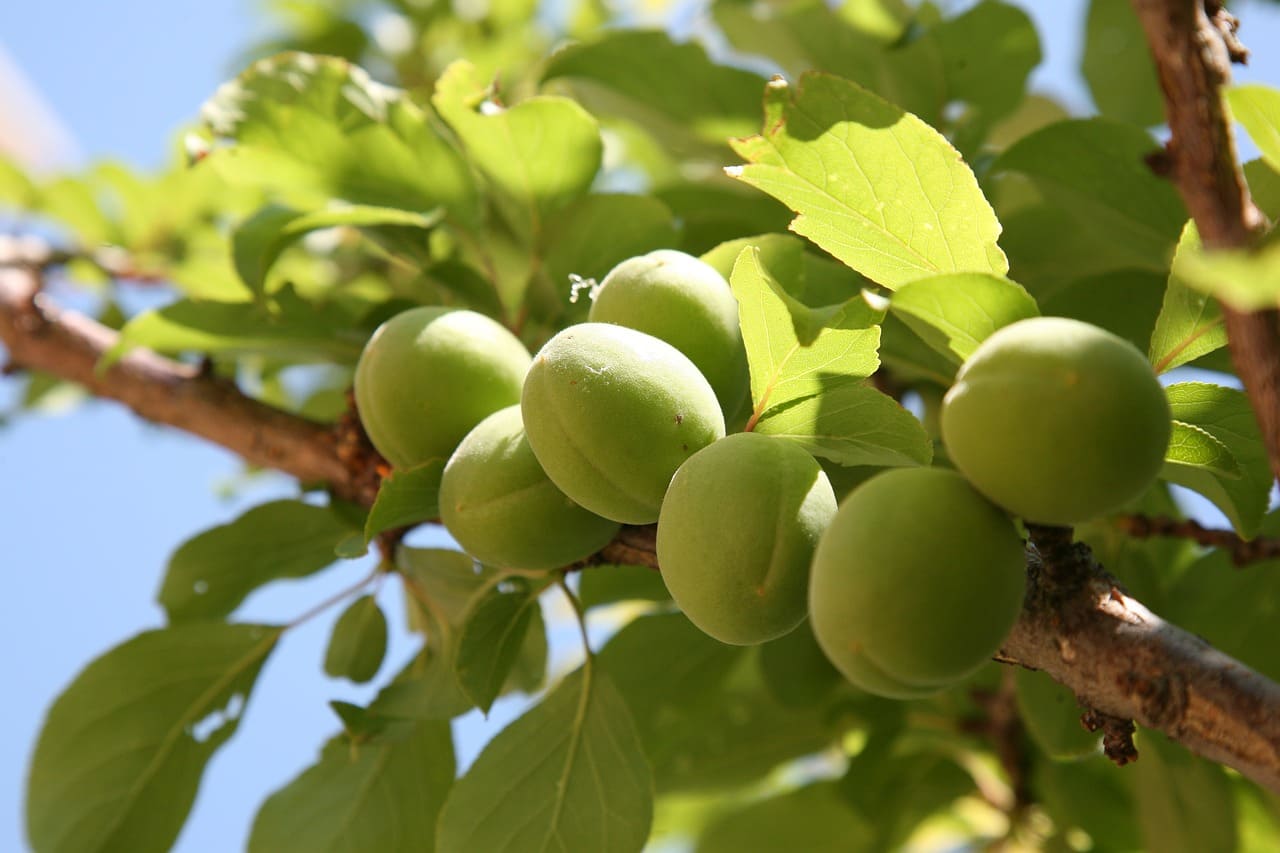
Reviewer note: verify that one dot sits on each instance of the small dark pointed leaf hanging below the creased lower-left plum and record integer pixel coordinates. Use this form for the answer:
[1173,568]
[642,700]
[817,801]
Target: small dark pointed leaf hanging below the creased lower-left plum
[492,638]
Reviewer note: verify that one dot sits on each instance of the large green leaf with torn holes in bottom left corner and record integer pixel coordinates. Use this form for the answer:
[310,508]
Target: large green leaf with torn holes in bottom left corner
[124,749]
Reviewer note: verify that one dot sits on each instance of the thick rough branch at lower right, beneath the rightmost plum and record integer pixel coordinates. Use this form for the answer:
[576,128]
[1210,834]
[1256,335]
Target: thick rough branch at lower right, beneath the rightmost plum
[1128,664]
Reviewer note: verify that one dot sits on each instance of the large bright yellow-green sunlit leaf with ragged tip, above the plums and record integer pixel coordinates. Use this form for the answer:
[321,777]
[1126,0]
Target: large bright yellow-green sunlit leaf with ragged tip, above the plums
[875,186]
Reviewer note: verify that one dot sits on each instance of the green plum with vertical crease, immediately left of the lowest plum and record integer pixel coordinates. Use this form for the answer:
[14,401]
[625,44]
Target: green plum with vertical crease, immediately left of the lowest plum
[737,536]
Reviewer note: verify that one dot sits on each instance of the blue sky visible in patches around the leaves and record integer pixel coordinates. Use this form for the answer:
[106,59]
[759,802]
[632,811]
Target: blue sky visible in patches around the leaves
[93,504]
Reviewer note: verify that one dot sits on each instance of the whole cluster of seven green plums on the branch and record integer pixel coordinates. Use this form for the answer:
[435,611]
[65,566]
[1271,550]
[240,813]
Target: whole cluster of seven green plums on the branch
[912,582]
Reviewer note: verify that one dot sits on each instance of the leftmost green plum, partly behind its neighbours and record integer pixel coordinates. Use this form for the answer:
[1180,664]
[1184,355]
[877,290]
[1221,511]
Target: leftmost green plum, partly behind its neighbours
[429,375]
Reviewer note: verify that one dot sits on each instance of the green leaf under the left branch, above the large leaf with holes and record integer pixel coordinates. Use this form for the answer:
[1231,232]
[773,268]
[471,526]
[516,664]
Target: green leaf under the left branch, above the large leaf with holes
[212,574]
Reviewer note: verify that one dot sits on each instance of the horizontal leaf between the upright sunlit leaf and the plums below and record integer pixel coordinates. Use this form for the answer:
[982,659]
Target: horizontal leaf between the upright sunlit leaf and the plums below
[852,426]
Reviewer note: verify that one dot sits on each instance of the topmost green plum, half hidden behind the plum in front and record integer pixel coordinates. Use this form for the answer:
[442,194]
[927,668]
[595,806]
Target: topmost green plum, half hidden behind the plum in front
[688,304]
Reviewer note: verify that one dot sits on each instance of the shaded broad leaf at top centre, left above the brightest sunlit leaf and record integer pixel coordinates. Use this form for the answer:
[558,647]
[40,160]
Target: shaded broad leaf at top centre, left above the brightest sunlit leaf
[652,71]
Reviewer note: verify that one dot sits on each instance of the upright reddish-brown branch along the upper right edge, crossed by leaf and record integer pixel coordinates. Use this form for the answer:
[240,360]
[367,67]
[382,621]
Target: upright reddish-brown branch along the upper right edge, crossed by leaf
[1194,49]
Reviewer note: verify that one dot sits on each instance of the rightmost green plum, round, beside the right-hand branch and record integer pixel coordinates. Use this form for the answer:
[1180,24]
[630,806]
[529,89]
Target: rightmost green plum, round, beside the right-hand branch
[1057,421]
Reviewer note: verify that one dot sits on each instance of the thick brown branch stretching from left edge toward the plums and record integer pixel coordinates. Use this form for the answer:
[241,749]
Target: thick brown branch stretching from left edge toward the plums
[68,345]
